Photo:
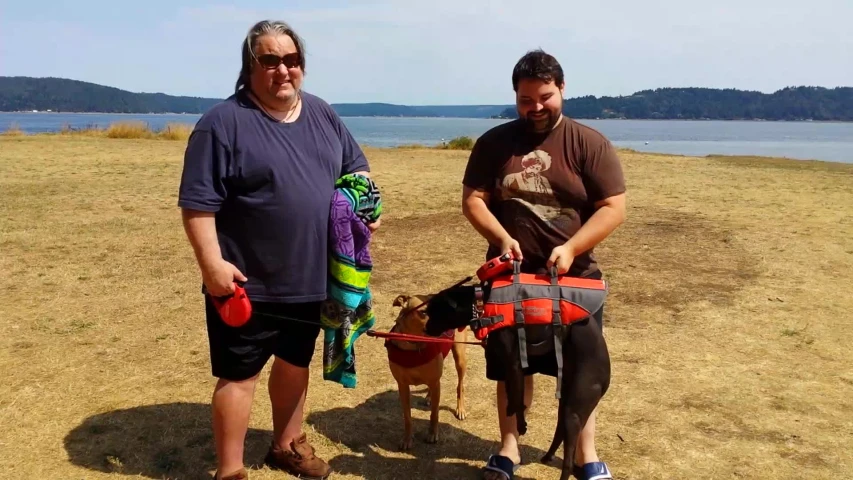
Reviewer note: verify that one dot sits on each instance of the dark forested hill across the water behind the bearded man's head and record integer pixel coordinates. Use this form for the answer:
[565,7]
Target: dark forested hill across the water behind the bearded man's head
[796,103]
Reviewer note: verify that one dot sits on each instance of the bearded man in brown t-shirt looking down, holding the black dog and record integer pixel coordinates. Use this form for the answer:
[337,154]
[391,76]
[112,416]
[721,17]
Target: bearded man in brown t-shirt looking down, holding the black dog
[547,189]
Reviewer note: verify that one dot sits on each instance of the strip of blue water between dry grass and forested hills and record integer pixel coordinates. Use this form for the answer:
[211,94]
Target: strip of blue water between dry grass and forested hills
[799,140]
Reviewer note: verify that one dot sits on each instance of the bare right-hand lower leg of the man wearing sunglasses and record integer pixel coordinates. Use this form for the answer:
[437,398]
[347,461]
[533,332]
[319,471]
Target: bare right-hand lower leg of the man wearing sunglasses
[288,387]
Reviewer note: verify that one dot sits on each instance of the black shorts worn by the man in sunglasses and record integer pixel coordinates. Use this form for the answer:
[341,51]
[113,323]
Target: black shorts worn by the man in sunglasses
[241,353]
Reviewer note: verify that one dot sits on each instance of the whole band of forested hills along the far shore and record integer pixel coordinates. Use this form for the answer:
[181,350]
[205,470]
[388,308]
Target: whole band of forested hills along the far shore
[795,103]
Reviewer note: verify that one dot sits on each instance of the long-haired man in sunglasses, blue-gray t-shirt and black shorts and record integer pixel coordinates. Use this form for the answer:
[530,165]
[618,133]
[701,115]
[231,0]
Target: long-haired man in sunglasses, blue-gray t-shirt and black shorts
[258,178]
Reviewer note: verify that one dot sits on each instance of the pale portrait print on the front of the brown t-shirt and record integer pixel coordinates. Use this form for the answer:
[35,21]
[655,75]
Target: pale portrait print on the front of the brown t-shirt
[530,187]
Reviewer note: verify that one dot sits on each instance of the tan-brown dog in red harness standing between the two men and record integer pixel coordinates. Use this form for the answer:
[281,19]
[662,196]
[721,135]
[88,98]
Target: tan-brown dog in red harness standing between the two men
[419,363]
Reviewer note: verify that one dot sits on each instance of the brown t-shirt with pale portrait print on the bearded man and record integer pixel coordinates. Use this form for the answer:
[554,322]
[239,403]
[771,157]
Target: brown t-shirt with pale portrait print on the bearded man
[544,187]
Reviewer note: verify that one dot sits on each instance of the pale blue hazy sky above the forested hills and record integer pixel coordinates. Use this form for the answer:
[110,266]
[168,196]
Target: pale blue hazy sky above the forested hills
[437,52]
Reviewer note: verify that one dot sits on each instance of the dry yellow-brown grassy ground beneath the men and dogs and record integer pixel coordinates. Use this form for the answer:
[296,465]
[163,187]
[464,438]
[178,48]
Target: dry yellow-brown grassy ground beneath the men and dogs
[729,322]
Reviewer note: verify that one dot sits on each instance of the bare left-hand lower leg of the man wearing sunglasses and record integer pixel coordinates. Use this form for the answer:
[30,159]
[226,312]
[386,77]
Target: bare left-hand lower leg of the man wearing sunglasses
[231,407]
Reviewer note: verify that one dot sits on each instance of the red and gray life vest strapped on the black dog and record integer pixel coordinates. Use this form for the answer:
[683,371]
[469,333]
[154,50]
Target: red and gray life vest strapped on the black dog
[519,299]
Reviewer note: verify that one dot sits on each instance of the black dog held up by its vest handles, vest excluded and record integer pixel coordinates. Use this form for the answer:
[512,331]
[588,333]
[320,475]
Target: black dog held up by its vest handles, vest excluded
[585,364]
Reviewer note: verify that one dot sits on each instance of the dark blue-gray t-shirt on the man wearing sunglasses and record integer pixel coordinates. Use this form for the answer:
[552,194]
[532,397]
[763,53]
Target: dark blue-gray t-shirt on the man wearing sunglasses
[271,187]
